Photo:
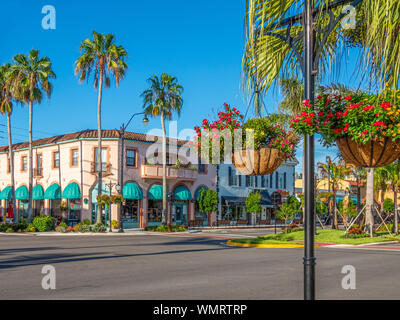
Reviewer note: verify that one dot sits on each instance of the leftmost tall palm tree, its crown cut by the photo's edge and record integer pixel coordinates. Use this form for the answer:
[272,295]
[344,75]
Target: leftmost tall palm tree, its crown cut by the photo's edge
[6,107]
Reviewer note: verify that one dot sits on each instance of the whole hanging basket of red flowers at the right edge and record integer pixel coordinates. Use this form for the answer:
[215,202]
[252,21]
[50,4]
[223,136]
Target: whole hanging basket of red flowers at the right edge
[365,127]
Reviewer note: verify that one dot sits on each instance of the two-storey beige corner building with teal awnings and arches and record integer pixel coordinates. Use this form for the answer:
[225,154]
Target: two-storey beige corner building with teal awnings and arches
[65,171]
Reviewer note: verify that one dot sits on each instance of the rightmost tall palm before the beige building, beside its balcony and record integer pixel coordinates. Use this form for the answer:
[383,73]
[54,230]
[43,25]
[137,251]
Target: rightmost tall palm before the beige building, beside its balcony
[162,99]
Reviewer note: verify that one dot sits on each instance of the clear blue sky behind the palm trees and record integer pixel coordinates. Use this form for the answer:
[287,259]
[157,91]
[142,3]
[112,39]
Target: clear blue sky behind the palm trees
[201,43]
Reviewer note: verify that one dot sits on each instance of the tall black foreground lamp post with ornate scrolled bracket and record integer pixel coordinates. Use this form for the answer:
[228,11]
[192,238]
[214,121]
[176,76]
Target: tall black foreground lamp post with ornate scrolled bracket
[309,64]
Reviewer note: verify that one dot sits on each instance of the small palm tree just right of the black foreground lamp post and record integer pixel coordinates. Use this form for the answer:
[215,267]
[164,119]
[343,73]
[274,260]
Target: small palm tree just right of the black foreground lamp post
[335,172]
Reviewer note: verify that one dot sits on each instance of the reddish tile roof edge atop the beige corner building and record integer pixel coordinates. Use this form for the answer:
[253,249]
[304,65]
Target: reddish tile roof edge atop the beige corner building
[88,134]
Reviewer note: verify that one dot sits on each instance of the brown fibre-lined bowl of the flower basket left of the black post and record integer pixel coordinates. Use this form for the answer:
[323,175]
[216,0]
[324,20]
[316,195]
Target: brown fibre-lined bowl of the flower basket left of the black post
[258,162]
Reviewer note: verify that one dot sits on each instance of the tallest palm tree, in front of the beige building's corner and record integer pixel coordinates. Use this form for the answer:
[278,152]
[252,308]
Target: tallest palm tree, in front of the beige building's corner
[102,57]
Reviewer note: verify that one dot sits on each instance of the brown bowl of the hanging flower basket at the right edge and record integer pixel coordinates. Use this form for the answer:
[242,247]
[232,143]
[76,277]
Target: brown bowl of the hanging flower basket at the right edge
[376,153]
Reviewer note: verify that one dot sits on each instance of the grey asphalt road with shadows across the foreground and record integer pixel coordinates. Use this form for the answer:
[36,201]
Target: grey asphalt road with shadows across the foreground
[195,266]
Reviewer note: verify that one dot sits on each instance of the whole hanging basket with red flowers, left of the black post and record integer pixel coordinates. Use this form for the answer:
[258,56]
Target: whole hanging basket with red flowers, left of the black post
[256,146]
